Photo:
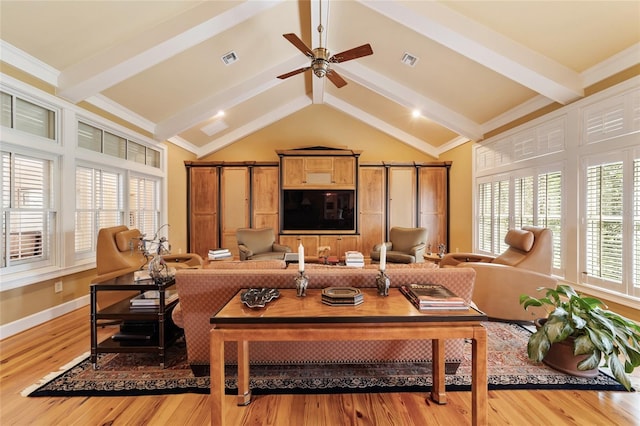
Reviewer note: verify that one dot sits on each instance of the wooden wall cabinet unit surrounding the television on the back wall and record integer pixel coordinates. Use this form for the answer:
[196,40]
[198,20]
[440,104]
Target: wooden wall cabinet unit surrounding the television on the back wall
[362,201]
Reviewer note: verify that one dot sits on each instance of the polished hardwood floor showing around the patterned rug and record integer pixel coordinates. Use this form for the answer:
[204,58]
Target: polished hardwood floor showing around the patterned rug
[29,356]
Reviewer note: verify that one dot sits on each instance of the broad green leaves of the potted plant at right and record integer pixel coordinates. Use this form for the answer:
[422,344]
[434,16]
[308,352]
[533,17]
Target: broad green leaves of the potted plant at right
[596,332]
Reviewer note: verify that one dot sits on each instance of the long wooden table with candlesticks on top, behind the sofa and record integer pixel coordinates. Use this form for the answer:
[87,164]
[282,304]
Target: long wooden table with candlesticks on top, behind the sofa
[291,318]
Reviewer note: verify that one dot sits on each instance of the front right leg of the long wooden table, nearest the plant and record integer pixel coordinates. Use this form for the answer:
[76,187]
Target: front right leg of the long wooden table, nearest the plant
[479,390]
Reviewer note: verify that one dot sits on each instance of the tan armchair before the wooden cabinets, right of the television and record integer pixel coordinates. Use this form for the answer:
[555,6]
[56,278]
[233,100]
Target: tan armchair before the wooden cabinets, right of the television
[405,245]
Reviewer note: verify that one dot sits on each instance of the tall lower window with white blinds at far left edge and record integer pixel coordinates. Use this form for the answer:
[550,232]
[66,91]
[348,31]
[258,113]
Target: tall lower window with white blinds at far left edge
[27,219]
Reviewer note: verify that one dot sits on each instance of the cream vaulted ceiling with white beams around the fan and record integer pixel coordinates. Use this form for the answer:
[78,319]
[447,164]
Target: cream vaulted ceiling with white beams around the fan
[479,64]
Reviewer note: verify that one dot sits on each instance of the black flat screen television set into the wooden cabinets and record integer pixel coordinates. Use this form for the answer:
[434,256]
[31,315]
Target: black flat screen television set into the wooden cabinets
[318,210]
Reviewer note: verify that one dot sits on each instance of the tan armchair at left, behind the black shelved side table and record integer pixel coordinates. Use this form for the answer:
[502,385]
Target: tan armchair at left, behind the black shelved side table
[118,253]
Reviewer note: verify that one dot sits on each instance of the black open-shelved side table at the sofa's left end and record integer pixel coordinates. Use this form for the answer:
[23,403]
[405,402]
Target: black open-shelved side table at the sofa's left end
[156,317]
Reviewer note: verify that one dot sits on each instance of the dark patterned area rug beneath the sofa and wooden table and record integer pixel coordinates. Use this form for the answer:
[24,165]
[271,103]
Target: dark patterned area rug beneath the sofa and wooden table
[140,374]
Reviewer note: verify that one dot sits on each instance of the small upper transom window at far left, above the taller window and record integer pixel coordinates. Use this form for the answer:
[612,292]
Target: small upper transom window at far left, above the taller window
[28,117]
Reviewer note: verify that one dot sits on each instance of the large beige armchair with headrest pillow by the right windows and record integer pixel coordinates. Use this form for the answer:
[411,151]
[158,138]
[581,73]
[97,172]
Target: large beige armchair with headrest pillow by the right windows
[524,267]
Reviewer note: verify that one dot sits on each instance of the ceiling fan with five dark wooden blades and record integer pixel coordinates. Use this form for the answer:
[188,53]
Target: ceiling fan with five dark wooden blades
[321,59]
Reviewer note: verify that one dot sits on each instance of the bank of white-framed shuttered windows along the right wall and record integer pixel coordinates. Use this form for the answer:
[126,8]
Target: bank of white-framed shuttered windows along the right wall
[577,172]
